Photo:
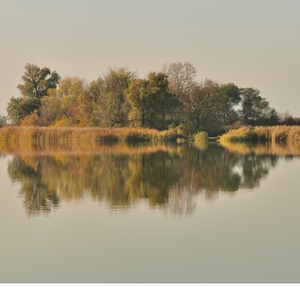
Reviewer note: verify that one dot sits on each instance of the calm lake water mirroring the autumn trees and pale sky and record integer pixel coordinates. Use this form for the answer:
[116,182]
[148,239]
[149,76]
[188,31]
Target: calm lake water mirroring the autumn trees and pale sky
[150,213]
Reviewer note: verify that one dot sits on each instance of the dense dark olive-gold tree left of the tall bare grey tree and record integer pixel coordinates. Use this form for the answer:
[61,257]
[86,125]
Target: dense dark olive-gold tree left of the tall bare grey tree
[150,100]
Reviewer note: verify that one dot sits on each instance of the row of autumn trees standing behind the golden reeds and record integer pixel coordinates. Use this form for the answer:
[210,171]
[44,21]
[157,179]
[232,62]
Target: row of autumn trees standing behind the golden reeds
[169,98]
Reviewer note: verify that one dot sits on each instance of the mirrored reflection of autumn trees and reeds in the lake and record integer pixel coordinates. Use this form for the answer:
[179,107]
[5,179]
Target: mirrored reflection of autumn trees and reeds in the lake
[166,176]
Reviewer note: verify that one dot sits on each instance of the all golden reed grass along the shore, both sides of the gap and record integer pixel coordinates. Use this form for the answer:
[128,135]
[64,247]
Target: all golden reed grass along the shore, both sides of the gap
[277,134]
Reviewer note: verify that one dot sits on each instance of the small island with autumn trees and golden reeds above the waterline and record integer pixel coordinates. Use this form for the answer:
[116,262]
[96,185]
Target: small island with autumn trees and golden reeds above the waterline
[168,105]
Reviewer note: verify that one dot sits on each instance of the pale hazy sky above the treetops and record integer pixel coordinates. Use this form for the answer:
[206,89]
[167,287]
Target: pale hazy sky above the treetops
[252,43]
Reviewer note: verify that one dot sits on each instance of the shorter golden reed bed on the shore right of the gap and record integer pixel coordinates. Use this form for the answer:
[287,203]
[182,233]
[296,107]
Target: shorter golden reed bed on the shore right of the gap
[277,134]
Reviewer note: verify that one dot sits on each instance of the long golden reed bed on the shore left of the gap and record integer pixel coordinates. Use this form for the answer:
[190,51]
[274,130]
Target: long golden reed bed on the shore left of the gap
[93,134]
